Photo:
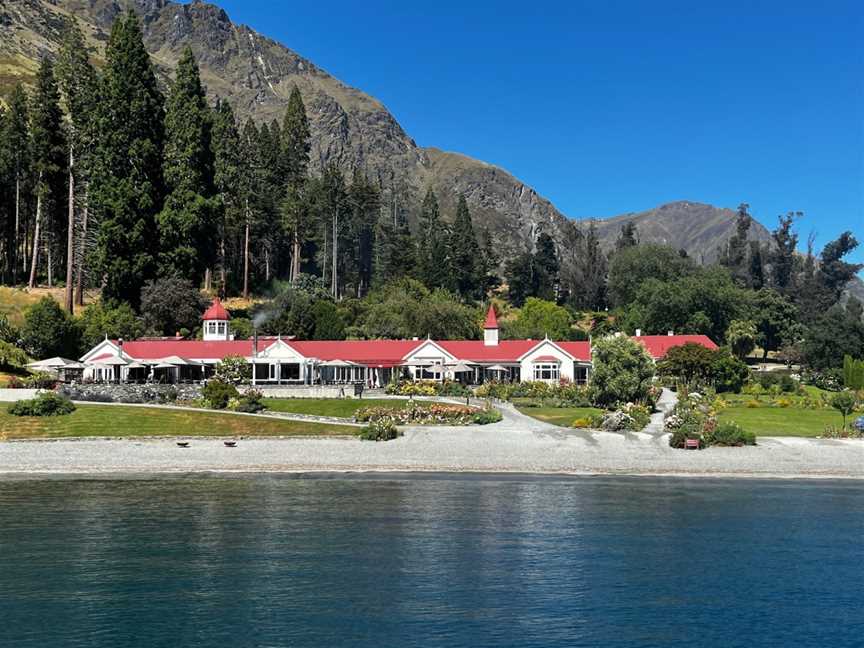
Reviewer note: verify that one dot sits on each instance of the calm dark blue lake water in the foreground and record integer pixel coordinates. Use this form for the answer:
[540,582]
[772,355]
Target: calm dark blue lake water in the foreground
[431,561]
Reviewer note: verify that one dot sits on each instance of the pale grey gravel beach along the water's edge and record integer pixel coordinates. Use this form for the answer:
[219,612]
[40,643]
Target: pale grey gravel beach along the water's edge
[518,444]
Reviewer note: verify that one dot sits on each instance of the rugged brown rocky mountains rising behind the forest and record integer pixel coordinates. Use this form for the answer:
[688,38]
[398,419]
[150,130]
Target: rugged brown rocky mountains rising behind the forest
[348,126]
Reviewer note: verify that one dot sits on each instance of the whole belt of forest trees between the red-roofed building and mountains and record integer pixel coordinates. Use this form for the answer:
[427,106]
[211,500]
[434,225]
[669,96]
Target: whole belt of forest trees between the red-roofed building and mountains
[108,181]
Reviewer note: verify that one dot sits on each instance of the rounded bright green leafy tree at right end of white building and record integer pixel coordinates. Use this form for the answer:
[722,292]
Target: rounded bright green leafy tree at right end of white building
[622,371]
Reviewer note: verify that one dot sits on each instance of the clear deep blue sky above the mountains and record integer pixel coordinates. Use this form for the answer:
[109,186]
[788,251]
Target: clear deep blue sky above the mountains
[608,107]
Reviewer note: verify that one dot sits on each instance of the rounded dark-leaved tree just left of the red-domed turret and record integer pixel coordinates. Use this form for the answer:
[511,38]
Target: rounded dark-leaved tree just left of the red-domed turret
[171,304]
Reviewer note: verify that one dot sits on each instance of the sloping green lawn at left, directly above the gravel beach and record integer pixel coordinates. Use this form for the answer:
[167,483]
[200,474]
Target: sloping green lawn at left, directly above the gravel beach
[106,420]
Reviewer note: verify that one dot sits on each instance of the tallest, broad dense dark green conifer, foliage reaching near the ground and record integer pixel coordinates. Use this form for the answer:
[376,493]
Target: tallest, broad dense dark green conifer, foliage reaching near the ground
[127,183]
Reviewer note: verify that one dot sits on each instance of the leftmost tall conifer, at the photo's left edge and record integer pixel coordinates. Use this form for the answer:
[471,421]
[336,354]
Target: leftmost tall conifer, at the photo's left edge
[17,148]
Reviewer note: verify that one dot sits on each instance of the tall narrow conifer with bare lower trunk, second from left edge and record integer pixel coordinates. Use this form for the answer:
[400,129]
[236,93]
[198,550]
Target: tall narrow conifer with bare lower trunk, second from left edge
[49,153]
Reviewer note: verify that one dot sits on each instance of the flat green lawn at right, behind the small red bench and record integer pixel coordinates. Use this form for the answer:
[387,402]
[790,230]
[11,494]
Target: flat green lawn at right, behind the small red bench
[782,421]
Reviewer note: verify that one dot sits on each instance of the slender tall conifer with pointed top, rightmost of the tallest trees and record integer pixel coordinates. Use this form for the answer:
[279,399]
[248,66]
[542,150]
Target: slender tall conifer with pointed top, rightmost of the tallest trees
[295,155]
